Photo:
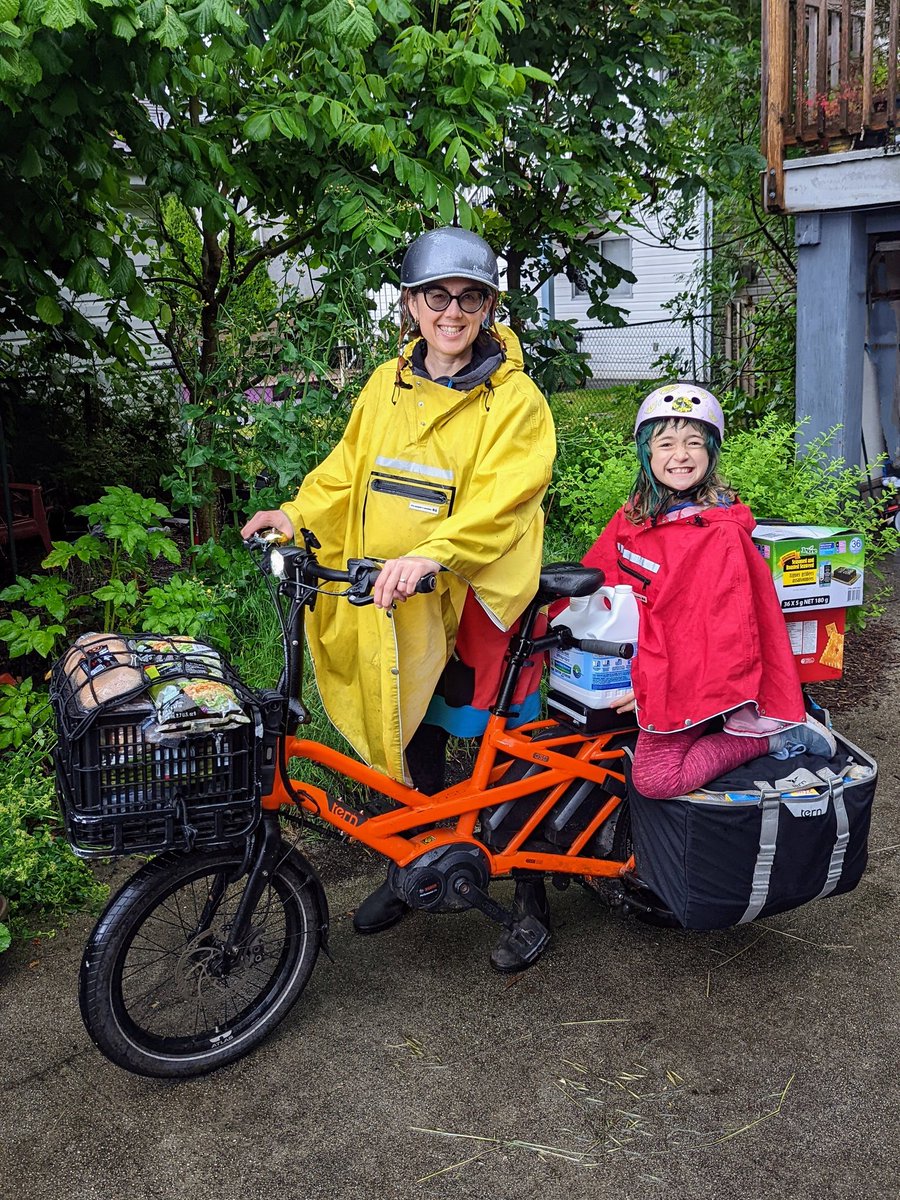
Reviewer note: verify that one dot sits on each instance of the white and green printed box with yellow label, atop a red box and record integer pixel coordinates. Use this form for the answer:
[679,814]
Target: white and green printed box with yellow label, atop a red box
[814,567]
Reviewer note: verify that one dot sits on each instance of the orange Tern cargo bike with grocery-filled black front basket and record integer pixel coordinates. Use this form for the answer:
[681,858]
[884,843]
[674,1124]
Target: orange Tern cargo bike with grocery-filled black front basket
[209,945]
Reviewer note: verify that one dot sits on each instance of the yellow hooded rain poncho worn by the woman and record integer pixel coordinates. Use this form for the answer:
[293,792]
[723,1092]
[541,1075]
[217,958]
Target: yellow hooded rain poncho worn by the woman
[451,476]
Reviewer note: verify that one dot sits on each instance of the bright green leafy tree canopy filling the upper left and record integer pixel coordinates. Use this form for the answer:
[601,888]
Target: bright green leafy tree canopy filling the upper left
[313,118]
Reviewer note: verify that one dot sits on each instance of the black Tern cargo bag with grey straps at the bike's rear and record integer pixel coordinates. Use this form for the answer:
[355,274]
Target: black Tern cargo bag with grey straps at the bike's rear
[765,838]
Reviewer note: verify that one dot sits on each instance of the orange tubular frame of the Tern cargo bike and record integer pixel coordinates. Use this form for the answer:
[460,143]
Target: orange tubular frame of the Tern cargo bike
[399,835]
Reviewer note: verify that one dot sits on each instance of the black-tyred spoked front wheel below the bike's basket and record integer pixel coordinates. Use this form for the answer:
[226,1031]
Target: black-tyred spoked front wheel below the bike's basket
[160,998]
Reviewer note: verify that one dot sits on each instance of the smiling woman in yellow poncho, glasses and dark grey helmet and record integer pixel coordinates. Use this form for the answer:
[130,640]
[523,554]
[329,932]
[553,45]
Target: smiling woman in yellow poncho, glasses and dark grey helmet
[442,469]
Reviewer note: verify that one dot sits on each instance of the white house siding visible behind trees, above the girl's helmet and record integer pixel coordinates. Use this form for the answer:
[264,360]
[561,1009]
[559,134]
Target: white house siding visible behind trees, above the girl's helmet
[662,266]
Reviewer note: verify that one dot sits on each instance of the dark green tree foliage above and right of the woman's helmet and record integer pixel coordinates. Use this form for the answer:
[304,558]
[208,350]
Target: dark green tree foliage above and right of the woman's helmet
[589,139]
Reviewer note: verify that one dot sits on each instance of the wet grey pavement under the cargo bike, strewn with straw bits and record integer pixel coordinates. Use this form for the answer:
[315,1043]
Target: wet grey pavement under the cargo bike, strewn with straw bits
[758,1063]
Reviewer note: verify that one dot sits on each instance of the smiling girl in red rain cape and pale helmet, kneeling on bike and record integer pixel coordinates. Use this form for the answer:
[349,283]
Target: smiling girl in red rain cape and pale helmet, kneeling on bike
[713,641]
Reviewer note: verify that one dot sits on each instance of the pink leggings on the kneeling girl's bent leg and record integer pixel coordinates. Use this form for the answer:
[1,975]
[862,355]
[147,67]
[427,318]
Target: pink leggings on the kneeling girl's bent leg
[669,765]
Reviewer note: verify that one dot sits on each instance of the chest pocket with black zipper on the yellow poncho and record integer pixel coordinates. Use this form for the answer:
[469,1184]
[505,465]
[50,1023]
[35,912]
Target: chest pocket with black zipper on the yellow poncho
[401,512]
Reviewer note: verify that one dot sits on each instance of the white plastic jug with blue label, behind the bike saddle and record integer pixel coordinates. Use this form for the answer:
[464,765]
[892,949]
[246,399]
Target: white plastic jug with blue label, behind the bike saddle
[593,681]
